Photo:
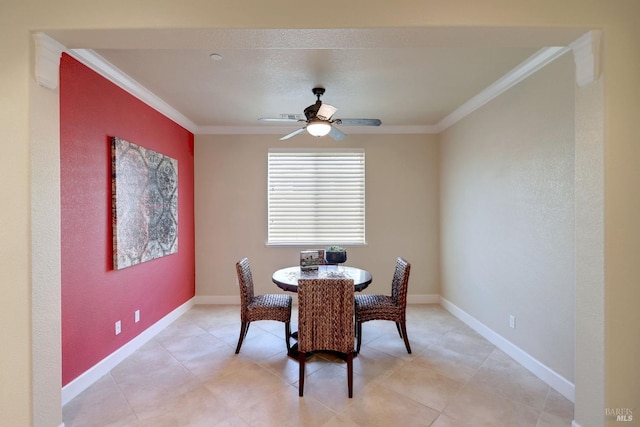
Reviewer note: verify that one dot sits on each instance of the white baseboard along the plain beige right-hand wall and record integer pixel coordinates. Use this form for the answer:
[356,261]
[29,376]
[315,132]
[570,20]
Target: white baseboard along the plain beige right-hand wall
[549,376]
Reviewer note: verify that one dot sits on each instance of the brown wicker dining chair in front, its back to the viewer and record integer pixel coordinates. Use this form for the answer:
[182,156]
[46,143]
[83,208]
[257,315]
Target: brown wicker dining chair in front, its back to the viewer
[325,322]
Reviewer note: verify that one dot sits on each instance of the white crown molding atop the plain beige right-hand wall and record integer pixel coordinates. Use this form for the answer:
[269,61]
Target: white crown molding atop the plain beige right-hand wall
[534,63]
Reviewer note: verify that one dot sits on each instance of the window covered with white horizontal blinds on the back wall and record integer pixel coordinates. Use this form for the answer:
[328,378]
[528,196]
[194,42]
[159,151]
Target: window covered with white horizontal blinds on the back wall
[316,197]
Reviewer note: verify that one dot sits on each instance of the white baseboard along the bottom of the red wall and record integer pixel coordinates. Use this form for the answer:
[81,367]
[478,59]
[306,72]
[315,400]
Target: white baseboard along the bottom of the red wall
[103,367]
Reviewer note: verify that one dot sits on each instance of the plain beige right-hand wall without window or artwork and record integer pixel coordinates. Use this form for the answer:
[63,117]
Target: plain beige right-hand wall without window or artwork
[508,244]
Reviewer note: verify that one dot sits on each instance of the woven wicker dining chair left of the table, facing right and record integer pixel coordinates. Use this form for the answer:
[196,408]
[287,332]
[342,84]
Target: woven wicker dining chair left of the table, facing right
[260,307]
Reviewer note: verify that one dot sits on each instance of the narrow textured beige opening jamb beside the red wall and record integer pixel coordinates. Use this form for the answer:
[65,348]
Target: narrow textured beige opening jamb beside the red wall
[46,258]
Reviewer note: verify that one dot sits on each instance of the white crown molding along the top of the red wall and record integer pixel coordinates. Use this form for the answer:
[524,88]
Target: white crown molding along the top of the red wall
[101,66]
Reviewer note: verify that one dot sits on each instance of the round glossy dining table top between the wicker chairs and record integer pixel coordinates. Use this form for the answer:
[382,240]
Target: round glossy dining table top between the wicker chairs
[287,278]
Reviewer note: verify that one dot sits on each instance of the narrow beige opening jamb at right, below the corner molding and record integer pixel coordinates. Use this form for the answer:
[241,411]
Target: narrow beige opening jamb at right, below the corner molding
[590,323]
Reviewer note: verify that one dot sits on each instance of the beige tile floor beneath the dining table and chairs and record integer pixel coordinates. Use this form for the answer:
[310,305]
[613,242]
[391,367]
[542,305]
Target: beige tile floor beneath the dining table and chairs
[188,375]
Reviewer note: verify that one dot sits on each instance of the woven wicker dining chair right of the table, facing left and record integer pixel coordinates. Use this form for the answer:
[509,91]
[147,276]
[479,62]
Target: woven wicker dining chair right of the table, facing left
[386,307]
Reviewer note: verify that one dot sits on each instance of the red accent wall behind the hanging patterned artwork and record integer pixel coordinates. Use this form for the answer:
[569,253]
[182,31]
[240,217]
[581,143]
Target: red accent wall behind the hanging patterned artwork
[94,295]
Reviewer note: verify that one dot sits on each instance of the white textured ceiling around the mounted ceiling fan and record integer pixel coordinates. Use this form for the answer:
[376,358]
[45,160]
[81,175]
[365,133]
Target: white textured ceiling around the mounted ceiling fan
[409,78]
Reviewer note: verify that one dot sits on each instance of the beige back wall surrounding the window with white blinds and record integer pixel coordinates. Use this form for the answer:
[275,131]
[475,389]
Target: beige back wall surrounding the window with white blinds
[231,210]
